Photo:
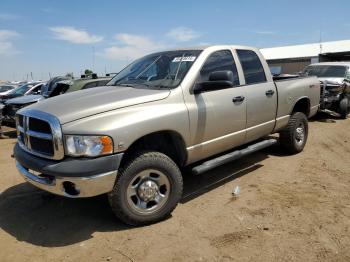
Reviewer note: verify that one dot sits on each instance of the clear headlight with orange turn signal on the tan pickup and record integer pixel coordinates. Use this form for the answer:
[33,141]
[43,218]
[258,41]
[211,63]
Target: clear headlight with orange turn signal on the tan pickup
[88,145]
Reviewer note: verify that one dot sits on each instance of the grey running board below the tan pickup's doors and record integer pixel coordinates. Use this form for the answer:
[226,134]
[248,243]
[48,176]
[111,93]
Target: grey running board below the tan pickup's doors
[223,159]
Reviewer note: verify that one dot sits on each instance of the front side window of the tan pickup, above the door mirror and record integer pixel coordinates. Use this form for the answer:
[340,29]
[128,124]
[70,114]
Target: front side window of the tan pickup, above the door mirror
[219,61]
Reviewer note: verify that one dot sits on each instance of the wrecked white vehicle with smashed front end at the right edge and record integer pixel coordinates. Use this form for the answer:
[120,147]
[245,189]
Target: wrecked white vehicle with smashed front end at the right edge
[335,91]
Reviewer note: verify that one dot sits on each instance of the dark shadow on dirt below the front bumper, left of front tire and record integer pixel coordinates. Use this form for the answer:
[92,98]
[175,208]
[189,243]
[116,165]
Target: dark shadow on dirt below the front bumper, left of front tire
[42,219]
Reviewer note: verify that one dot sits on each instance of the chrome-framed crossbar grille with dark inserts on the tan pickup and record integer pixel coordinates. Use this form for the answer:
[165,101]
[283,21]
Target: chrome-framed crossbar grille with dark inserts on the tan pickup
[40,134]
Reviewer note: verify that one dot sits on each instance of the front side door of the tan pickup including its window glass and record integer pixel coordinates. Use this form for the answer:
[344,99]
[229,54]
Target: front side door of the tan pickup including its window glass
[218,118]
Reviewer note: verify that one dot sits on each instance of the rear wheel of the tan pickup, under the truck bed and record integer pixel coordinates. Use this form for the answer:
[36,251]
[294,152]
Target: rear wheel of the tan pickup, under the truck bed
[293,138]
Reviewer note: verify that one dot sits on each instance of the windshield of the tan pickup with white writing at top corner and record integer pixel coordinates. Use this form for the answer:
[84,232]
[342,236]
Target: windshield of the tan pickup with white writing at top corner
[159,70]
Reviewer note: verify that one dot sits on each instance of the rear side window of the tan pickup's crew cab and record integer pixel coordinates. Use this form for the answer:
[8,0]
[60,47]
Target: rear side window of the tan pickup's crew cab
[252,67]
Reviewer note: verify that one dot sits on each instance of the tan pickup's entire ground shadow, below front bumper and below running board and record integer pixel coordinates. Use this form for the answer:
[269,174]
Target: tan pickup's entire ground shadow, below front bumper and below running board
[42,219]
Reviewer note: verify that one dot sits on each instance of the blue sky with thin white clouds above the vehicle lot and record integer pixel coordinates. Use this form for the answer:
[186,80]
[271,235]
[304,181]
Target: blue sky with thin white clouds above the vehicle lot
[60,36]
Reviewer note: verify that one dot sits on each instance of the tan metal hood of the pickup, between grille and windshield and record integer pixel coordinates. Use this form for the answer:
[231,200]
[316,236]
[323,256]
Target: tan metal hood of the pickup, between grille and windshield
[84,103]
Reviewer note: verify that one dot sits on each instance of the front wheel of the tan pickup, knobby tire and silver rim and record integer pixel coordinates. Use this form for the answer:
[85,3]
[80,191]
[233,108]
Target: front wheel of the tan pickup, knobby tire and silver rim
[147,189]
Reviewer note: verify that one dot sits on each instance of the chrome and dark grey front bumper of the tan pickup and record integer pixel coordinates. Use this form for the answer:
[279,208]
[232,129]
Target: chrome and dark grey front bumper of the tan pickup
[69,177]
